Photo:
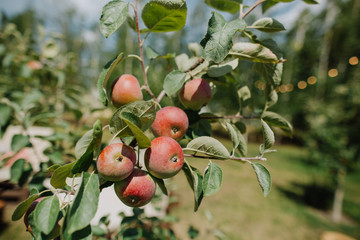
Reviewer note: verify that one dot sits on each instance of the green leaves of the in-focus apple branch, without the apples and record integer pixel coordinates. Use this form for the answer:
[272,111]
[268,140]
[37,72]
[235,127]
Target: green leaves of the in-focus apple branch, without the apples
[223,48]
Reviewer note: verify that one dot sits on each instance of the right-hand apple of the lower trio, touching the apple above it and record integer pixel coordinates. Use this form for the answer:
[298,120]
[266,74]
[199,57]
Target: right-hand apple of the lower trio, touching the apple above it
[165,157]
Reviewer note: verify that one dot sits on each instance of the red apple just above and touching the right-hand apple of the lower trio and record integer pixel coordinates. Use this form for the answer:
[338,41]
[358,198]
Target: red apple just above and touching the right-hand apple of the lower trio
[170,122]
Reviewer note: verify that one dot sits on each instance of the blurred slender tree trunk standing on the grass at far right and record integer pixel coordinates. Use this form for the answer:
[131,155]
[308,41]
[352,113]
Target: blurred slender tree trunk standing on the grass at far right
[339,196]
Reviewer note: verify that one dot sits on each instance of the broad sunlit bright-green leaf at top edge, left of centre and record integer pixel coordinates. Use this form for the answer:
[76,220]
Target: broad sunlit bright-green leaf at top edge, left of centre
[164,15]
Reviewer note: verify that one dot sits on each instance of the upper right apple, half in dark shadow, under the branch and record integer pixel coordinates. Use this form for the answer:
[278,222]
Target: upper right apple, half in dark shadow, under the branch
[195,94]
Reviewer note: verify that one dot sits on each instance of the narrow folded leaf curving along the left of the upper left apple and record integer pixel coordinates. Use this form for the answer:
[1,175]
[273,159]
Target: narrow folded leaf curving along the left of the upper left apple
[104,77]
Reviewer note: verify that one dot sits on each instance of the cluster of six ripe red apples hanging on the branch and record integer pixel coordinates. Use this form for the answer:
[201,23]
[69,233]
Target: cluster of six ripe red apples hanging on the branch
[164,158]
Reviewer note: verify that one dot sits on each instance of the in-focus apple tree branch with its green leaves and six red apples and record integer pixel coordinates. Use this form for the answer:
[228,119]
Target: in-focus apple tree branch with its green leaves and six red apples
[171,125]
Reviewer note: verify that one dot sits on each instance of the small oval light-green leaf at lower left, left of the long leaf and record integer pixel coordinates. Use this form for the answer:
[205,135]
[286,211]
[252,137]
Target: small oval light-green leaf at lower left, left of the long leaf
[46,214]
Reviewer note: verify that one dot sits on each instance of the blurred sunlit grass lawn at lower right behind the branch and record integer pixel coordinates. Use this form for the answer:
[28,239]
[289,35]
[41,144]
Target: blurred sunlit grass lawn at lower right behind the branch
[241,212]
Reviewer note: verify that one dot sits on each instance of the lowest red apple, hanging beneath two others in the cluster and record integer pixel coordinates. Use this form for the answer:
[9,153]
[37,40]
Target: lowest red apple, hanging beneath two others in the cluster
[136,190]
